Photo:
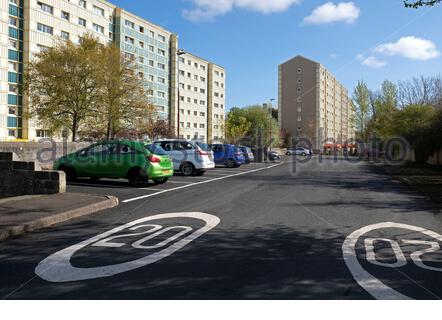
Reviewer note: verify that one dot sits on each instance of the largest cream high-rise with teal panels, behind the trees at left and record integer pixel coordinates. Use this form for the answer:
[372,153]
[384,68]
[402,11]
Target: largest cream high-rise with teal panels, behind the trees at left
[29,26]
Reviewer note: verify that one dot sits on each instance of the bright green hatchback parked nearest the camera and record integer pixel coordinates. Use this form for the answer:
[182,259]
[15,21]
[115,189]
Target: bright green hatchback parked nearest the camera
[118,159]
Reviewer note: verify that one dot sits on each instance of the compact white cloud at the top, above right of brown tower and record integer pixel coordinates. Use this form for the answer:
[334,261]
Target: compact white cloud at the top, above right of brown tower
[329,12]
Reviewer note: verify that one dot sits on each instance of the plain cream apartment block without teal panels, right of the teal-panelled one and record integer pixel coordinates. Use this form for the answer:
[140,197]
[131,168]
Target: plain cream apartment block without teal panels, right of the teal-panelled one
[202,99]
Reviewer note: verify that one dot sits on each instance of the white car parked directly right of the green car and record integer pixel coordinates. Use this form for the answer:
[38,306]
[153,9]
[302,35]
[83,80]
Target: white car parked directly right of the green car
[188,158]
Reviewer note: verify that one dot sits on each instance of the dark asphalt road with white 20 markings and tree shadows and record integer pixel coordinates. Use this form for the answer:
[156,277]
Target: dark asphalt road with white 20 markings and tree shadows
[283,231]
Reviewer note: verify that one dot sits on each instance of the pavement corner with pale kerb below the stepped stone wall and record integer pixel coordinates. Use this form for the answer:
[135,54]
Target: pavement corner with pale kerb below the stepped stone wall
[28,213]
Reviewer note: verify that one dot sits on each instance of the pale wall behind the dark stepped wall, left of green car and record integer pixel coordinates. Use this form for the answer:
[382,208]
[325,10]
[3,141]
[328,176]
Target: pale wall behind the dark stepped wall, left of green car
[42,153]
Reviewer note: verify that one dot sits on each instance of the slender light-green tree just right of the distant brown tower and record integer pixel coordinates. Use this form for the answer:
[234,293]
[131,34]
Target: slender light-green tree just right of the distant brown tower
[361,100]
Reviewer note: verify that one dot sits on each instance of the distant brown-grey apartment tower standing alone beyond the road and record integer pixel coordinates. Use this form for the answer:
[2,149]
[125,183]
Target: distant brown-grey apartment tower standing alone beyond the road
[313,104]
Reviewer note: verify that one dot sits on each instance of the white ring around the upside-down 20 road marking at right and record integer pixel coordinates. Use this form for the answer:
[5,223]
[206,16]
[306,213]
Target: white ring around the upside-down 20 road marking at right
[372,285]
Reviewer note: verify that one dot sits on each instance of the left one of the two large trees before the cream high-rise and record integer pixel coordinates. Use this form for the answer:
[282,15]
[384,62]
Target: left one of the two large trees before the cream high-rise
[61,85]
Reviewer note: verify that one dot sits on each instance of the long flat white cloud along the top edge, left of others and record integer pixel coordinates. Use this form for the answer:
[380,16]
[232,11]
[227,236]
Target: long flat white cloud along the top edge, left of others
[209,9]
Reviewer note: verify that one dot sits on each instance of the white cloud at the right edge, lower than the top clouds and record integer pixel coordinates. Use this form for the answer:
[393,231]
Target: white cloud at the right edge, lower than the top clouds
[411,48]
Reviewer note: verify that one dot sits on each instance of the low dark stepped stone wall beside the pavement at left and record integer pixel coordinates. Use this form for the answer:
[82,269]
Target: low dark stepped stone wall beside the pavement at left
[19,178]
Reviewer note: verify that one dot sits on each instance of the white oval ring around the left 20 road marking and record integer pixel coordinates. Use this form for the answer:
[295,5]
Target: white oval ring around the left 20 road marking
[58,267]
